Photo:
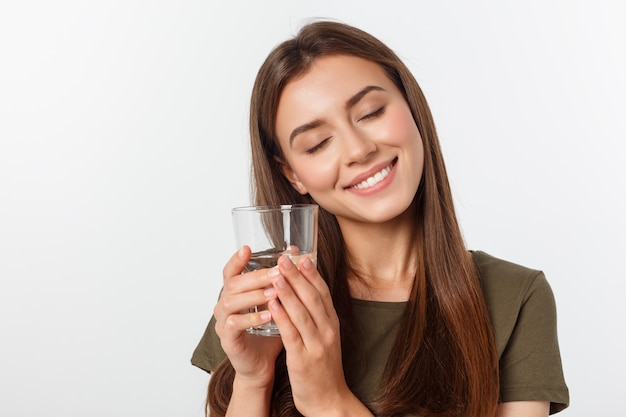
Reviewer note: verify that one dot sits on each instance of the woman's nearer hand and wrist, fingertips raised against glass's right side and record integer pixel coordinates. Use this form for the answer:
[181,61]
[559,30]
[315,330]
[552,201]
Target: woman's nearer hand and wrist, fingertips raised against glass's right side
[309,328]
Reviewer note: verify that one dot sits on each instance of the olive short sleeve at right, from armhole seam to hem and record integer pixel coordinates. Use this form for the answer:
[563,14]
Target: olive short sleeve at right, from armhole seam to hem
[530,365]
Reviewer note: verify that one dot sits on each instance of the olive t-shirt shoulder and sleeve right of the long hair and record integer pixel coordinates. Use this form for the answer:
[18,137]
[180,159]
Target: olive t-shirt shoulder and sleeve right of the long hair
[523,314]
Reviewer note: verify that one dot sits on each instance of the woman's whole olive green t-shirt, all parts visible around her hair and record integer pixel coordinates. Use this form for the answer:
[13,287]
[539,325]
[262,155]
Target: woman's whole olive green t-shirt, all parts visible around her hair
[523,313]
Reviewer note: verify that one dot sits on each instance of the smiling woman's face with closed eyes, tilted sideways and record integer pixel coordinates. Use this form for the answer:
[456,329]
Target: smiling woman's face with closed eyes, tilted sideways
[349,140]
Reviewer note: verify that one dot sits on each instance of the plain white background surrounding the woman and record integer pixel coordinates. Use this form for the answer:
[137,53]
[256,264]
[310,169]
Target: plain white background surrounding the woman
[123,146]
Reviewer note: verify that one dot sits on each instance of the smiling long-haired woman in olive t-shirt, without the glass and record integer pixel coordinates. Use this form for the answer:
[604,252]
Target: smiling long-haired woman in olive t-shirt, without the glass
[399,318]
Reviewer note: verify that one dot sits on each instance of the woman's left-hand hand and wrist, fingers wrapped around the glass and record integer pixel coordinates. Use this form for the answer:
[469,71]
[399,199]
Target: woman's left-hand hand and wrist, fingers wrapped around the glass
[252,357]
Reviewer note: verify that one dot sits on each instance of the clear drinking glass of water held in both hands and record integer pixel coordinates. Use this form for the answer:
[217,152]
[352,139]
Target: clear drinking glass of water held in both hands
[273,231]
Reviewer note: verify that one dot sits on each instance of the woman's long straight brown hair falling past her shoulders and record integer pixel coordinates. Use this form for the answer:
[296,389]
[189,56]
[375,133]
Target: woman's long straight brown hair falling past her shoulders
[443,361]
